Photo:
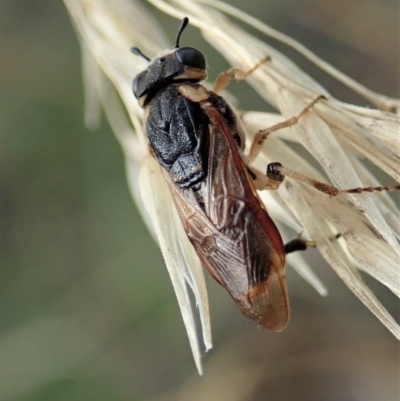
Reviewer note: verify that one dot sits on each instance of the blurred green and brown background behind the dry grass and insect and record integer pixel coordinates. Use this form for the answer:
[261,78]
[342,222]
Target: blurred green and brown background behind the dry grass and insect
[87,309]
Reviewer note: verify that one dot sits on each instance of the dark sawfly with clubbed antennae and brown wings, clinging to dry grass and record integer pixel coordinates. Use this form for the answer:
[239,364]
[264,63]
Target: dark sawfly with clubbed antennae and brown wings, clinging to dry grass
[199,143]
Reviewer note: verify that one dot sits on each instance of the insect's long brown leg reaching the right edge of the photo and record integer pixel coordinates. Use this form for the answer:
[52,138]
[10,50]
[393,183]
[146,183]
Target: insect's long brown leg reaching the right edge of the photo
[275,171]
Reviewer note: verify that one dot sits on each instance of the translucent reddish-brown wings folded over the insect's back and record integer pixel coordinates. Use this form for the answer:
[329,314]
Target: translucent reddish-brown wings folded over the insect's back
[233,234]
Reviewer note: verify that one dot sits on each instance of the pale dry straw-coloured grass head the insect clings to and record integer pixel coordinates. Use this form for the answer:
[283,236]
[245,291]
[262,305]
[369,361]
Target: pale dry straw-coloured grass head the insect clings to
[338,136]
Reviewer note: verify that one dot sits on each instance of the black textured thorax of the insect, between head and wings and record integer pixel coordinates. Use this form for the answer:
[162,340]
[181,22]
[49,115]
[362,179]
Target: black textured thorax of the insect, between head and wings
[178,132]
